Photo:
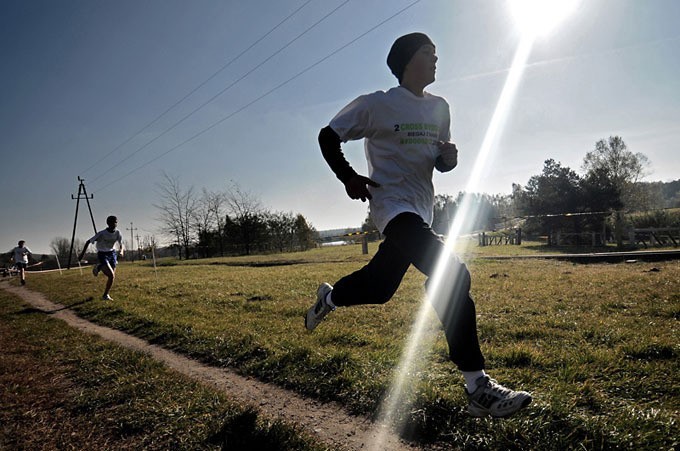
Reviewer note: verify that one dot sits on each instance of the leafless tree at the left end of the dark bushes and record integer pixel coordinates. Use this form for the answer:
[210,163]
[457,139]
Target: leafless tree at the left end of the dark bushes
[177,207]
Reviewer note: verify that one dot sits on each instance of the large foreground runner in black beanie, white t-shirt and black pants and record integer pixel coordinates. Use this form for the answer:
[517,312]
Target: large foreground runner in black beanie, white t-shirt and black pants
[406,133]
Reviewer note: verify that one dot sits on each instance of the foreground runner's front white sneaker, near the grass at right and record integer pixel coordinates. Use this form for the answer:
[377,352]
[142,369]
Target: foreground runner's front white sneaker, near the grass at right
[492,399]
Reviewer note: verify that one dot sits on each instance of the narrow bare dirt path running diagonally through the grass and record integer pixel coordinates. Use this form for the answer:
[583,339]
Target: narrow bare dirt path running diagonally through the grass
[326,421]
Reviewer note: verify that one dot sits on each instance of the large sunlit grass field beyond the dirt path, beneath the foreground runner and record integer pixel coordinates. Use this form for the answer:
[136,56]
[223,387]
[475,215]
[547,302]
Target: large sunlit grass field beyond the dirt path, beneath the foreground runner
[596,344]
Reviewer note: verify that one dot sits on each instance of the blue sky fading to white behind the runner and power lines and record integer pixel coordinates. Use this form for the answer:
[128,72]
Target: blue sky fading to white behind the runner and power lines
[78,78]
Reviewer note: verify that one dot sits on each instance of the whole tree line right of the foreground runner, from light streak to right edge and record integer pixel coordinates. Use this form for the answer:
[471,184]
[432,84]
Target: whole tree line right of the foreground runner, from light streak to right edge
[610,184]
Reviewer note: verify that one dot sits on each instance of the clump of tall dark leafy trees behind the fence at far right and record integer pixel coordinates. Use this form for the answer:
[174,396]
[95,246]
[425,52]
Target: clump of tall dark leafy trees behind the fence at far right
[610,184]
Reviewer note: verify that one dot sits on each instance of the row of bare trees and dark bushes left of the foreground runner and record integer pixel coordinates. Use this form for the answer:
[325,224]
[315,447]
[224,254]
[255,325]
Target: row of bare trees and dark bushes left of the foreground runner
[230,222]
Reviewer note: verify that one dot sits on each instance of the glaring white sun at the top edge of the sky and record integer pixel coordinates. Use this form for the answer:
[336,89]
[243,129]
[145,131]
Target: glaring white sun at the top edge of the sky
[539,17]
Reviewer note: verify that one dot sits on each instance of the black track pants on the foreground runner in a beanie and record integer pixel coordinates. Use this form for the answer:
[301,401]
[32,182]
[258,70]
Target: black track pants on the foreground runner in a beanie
[409,240]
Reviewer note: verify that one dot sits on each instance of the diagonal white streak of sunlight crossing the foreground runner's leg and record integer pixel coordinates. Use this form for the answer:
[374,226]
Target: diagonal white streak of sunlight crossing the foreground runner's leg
[444,278]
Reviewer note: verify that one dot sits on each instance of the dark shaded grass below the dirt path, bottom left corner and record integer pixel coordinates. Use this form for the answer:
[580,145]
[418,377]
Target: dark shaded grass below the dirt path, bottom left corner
[62,389]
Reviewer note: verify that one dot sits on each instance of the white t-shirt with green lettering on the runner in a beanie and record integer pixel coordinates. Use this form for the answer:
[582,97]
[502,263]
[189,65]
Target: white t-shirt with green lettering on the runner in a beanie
[401,131]
